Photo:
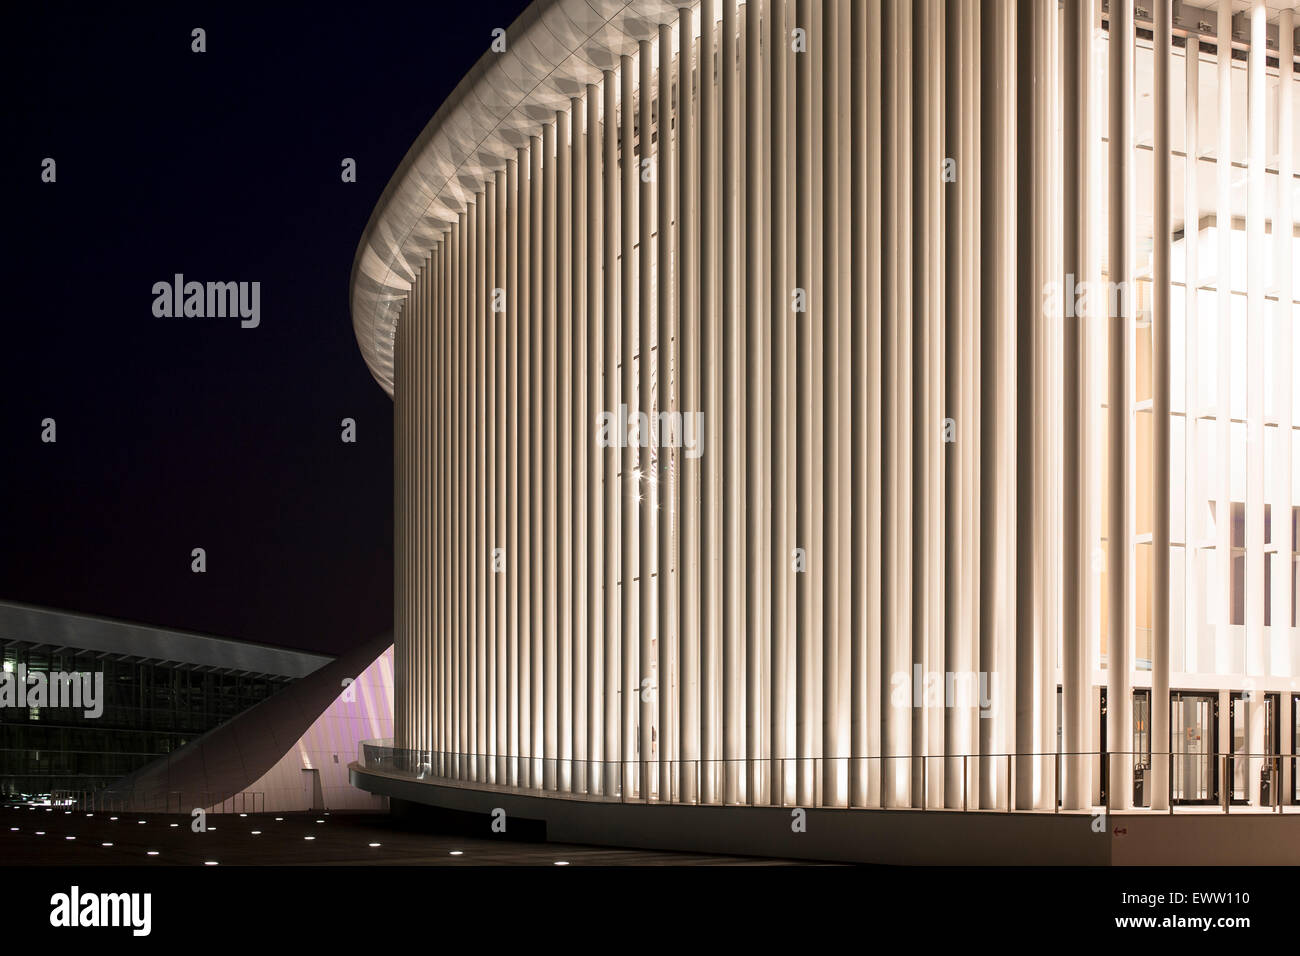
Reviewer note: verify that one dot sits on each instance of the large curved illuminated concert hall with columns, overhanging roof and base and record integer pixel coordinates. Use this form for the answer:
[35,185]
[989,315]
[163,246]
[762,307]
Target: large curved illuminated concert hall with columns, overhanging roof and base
[852,408]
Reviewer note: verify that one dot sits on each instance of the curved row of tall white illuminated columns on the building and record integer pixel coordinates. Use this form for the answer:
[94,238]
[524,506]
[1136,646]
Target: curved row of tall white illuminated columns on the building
[752,220]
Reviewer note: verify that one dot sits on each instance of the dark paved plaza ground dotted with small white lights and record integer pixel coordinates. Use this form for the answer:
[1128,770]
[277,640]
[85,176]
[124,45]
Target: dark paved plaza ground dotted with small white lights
[41,838]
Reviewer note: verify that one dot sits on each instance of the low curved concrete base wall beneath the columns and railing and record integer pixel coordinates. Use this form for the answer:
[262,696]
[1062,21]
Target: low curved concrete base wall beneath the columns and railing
[882,837]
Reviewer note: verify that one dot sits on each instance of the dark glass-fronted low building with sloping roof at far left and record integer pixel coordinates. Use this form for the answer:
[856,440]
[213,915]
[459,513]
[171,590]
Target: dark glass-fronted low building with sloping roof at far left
[151,691]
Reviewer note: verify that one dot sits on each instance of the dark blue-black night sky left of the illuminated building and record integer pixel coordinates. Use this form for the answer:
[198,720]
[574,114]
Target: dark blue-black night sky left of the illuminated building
[181,434]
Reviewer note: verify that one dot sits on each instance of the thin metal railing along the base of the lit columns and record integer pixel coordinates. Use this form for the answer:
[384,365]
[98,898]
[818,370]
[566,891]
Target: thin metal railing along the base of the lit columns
[961,782]
